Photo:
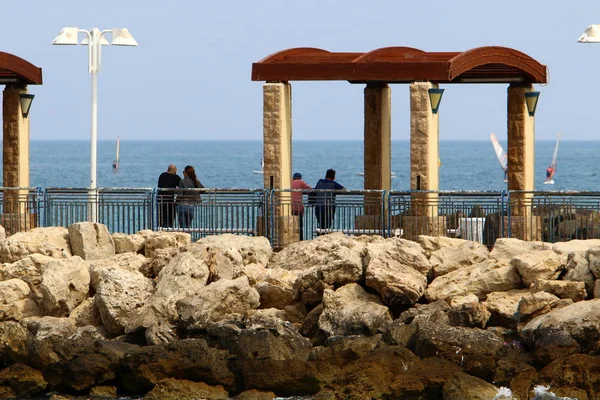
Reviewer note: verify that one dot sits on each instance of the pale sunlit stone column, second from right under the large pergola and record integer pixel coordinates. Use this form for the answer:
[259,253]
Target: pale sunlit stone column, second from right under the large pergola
[424,150]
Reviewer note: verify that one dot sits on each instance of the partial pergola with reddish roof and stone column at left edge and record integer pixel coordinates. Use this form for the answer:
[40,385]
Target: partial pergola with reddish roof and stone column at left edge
[16,73]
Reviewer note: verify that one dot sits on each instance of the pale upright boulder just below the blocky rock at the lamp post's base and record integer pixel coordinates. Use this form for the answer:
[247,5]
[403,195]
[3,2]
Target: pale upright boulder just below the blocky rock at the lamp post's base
[65,284]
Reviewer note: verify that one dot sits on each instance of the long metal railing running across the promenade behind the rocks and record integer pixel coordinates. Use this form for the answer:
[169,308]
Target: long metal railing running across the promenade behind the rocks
[286,216]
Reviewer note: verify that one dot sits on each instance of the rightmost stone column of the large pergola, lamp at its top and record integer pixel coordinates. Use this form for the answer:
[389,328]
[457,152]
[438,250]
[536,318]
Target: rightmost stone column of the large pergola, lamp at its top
[521,163]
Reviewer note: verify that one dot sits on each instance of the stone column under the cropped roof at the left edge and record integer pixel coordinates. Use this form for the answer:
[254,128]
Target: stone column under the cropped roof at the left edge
[15,163]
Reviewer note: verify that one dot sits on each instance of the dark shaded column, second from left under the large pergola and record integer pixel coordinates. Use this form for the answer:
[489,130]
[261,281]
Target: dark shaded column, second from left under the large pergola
[377,151]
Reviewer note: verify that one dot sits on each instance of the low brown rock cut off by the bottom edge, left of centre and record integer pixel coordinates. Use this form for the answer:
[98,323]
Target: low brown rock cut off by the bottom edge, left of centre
[173,389]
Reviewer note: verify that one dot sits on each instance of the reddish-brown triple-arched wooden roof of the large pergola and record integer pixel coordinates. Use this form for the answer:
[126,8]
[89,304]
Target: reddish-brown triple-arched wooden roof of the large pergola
[492,64]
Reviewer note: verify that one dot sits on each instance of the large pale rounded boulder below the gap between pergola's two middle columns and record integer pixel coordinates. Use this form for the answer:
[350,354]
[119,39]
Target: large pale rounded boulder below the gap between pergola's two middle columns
[397,270]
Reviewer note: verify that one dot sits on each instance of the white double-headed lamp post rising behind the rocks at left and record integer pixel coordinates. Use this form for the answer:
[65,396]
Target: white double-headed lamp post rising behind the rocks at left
[95,40]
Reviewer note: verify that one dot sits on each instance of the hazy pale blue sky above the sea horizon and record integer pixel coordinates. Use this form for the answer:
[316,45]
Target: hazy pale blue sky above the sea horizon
[189,79]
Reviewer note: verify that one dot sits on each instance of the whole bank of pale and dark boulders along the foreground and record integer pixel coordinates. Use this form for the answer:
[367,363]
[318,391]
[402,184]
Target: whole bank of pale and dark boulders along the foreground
[83,312]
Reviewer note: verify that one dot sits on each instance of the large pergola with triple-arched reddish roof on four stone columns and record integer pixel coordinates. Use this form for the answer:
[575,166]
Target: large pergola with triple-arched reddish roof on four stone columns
[422,71]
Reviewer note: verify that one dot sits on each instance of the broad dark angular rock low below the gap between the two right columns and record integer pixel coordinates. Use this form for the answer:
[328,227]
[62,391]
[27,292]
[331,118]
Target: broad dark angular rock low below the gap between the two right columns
[475,350]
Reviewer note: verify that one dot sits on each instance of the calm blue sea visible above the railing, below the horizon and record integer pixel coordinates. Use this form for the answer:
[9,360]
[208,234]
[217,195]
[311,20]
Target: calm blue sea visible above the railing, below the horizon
[466,165]
